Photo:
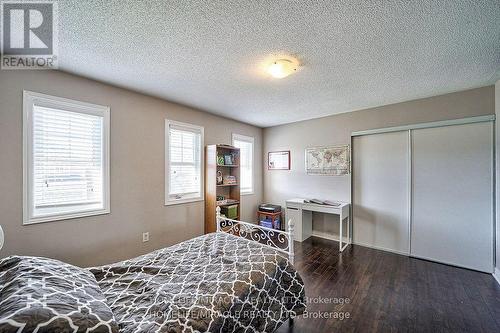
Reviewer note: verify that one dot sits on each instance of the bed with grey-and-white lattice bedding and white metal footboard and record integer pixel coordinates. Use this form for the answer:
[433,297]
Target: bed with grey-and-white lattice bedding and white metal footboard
[238,279]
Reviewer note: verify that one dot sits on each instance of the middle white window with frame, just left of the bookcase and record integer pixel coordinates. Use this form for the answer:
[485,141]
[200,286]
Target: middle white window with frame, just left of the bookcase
[184,162]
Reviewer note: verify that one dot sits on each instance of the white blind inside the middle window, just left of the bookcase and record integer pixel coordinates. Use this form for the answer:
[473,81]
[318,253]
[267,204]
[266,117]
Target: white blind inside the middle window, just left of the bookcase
[184,162]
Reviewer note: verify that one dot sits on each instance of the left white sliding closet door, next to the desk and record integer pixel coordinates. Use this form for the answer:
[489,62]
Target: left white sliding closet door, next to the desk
[381,190]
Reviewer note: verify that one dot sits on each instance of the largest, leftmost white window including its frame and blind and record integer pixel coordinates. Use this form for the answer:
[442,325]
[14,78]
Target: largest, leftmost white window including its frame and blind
[66,158]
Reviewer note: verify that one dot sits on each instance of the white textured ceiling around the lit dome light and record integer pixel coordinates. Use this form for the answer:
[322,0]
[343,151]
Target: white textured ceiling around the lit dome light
[354,54]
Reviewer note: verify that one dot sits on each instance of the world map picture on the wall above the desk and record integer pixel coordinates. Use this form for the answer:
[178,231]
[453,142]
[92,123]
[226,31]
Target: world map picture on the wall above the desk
[331,161]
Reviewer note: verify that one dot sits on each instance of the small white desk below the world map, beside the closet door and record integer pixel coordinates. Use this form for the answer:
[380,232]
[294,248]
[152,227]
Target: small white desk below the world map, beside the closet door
[301,214]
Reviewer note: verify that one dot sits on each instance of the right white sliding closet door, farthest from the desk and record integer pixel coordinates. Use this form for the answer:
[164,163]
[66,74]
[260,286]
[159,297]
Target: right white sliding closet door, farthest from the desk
[452,195]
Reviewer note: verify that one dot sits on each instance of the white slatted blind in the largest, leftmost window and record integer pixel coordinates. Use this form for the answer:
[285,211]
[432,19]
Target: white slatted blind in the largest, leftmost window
[67,157]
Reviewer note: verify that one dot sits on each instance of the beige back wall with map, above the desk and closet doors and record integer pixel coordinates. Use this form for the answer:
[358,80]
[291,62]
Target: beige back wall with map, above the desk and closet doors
[333,130]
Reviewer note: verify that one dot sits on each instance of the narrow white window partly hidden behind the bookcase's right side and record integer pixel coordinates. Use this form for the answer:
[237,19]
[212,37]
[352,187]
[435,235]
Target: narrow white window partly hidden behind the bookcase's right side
[245,143]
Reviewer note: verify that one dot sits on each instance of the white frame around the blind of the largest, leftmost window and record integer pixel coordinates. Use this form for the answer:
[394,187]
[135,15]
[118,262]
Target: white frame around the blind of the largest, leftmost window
[30,99]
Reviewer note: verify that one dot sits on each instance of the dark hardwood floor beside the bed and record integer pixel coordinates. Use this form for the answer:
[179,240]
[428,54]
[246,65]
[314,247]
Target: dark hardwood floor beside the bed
[390,293]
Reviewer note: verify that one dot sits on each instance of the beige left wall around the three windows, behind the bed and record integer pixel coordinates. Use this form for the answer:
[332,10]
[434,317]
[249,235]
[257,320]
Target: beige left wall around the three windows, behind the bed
[137,174]
